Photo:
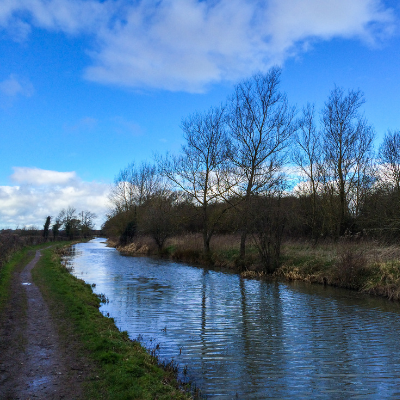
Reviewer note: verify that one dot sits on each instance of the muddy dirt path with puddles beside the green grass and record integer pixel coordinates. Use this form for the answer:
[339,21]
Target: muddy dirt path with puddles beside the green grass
[34,364]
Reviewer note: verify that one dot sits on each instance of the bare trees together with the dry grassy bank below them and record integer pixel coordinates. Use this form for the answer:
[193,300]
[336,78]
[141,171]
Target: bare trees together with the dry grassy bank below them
[271,190]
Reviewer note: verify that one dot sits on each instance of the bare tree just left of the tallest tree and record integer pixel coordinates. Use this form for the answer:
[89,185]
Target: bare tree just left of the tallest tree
[202,170]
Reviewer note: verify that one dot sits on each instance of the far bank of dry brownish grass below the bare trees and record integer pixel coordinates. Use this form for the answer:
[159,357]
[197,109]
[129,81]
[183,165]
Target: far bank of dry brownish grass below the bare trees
[366,266]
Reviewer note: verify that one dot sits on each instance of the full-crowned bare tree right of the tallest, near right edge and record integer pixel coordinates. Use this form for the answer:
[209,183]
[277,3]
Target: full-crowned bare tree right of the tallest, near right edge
[347,146]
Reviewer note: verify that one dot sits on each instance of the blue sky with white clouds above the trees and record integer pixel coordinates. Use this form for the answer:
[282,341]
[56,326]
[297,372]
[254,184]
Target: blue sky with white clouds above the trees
[90,86]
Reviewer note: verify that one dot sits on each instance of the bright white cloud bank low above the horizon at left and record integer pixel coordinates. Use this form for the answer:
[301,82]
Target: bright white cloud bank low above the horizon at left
[40,193]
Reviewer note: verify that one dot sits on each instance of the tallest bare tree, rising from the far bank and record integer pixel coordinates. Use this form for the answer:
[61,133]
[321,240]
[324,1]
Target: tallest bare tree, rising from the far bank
[261,124]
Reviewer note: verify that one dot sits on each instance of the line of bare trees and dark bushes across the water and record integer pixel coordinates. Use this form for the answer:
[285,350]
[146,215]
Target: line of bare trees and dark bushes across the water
[258,167]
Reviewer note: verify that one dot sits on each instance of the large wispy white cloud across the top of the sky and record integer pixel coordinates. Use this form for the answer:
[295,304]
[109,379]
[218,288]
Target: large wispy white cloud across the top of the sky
[190,44]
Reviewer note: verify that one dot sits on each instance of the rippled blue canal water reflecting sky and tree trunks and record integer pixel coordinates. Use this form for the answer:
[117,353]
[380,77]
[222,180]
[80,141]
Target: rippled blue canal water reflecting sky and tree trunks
[249,339]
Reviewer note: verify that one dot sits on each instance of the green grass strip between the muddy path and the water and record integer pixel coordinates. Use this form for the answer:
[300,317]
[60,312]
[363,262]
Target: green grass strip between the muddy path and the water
[122,369]
